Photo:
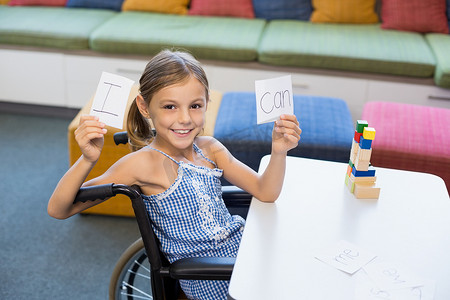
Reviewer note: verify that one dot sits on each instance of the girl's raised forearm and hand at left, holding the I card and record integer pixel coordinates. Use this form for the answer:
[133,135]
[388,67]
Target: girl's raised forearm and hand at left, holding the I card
[89,136]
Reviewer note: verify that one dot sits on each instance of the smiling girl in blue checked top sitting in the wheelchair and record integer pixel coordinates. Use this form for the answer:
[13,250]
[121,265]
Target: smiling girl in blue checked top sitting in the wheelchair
[177,170]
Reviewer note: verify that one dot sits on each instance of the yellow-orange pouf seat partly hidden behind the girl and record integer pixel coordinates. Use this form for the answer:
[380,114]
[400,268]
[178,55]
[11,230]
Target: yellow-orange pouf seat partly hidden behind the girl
[121,205]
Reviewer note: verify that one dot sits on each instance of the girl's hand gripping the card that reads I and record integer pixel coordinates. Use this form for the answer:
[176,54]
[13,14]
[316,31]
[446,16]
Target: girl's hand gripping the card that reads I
[89,136]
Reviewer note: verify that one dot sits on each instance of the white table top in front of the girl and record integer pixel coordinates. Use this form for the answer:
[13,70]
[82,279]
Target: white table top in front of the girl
[408,225]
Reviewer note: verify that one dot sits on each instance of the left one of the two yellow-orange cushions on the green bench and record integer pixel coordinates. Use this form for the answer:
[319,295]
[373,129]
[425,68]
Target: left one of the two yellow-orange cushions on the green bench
[159,6]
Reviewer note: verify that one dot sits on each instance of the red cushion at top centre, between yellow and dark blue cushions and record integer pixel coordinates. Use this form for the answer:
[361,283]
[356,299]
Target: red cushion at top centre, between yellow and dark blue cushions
[232,8]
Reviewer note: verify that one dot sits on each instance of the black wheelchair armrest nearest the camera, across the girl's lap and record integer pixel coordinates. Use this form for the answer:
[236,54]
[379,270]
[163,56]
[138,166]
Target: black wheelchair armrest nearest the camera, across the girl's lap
[203,268]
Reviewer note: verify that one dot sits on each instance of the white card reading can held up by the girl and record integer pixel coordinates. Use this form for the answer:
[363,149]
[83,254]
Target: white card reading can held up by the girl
[273,98]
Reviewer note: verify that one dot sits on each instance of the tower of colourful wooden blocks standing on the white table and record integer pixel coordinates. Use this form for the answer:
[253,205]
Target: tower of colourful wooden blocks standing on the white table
[360,178]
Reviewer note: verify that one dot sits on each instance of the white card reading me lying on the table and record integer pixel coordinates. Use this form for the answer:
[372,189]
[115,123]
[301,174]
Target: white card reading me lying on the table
[346,257]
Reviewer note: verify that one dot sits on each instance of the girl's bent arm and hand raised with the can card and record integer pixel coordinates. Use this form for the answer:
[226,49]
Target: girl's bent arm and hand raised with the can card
[267,186]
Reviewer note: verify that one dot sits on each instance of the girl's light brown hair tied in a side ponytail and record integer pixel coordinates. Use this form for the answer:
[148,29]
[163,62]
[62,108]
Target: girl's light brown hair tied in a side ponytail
[163,70]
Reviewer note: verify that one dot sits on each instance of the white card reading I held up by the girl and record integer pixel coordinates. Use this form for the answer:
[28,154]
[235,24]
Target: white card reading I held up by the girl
[110,100]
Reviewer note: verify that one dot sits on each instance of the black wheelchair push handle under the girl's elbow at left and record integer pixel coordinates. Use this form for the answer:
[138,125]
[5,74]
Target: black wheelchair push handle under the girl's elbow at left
[91,193]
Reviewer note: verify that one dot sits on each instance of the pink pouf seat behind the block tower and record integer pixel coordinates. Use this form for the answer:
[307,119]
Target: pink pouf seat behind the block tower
[410,137]
